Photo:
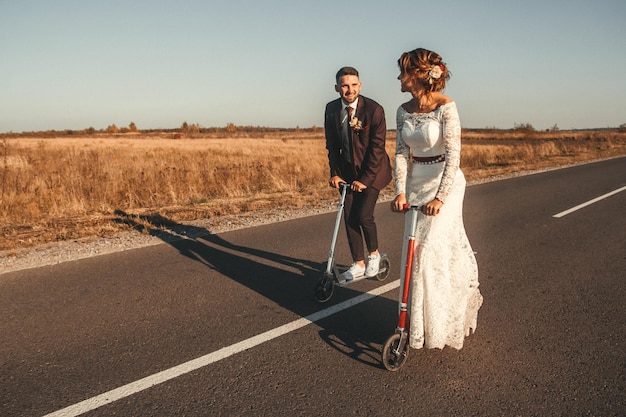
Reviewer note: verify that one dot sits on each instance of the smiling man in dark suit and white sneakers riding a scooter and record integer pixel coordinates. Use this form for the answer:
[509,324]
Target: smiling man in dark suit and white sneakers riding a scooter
[355,139]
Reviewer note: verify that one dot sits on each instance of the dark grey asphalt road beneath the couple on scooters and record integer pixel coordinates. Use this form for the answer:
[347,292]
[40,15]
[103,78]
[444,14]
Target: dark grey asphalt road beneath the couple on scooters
[227,324]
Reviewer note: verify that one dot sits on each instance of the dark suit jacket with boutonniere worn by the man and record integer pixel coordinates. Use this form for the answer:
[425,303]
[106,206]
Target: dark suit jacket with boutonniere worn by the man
[370,162]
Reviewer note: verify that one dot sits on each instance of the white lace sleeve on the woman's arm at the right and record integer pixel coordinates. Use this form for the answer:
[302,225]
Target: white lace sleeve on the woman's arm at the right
[452,143]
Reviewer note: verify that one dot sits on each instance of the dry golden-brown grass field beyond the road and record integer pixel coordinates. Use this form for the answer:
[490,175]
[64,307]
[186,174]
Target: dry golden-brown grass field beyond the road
[74,186]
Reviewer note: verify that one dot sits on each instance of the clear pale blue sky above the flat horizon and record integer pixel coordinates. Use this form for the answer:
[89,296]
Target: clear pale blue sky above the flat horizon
[92,63]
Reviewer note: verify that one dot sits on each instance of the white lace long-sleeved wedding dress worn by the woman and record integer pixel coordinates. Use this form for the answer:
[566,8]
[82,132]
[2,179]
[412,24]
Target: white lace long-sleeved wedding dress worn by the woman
[444,298]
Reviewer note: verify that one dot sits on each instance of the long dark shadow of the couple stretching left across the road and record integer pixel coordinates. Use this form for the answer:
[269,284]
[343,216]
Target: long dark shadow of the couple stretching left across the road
[286,280]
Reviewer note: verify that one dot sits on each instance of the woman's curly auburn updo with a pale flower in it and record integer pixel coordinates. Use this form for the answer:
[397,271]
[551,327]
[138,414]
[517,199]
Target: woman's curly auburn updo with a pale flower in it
[424,67]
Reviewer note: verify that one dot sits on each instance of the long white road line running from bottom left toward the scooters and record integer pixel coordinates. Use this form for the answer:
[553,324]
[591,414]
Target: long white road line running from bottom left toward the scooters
[192,365]
